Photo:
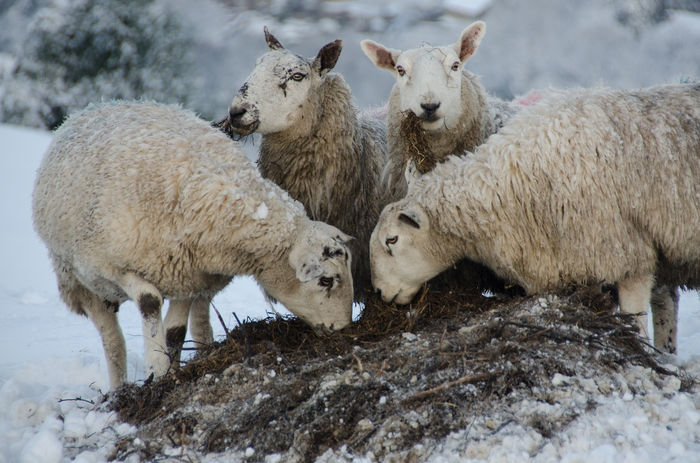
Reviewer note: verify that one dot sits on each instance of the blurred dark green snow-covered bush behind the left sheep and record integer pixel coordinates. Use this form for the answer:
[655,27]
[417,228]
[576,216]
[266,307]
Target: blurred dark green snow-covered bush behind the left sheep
[91,50]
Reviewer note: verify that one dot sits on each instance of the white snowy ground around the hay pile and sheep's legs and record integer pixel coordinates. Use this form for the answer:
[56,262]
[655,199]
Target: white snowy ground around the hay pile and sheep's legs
[50,357]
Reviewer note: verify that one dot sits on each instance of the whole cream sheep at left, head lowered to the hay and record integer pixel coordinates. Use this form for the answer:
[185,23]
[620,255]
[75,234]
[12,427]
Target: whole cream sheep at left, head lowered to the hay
[143,201]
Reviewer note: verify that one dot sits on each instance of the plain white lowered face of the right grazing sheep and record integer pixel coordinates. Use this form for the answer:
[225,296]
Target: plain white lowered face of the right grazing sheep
[400,253]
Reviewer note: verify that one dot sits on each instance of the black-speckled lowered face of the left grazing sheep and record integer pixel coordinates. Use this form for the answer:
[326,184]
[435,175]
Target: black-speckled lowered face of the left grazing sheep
[319,287]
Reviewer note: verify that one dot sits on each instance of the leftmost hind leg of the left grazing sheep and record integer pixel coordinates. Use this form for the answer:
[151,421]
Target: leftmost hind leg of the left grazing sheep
[103,315]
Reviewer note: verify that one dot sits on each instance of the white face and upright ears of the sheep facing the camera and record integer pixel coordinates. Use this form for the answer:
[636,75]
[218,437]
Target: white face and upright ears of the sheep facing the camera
[429,79]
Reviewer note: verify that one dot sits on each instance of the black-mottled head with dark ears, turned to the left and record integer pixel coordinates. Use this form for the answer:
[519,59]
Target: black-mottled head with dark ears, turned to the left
[278,93]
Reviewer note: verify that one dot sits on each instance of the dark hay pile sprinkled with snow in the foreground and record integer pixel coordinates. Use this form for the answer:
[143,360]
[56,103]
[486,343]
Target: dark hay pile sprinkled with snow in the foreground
[395,379]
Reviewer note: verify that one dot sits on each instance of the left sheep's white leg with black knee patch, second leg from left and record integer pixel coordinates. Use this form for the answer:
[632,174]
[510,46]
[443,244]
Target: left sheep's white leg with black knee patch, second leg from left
[149,300]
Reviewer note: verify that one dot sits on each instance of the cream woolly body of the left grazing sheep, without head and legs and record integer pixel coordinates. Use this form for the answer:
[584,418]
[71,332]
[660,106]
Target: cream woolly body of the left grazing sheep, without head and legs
[153,189]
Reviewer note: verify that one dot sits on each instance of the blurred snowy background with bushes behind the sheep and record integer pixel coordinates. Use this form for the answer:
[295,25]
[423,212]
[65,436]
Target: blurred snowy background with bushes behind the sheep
[57,56]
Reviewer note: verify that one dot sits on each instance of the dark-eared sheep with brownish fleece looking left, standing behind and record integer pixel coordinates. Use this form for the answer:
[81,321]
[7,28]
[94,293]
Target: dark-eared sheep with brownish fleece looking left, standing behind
[315,143]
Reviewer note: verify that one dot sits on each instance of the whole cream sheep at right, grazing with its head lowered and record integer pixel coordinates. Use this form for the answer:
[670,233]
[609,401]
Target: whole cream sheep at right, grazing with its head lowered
[593,186]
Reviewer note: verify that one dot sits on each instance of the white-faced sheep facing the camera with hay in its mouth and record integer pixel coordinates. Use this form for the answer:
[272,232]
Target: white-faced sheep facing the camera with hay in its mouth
[455,112]
